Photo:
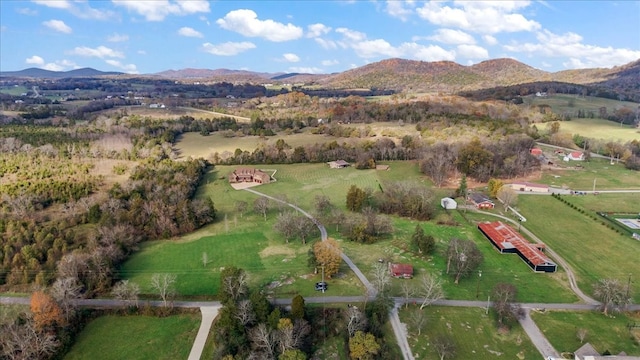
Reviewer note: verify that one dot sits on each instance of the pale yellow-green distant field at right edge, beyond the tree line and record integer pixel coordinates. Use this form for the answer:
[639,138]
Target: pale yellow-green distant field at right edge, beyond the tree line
[600,129]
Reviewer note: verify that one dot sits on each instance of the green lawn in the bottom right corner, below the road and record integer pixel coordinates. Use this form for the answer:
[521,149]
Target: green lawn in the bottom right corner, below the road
[604,333]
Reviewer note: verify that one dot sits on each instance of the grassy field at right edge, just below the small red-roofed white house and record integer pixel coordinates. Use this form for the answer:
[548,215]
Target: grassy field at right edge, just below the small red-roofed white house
[605,175]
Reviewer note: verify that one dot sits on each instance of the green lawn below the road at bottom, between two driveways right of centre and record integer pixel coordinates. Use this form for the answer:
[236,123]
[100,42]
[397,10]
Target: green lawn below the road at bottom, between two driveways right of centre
[474,333]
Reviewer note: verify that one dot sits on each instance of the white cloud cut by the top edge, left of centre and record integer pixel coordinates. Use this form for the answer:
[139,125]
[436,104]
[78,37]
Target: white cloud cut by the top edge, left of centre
[158,10]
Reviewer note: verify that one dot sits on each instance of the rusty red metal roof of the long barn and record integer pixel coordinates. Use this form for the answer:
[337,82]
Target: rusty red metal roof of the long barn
[505,237]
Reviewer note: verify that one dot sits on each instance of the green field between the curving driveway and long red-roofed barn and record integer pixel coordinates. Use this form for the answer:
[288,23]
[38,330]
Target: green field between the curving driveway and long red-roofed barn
[496,268]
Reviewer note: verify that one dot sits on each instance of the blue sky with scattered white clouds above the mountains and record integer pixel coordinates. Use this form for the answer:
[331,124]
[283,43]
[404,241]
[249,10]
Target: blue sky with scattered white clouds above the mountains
[149,36]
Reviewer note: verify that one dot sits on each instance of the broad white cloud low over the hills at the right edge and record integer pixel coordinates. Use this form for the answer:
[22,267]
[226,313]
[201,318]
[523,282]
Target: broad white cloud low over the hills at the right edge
[569,45]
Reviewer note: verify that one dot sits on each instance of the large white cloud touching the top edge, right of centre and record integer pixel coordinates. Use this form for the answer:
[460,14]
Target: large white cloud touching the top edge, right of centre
[486,17]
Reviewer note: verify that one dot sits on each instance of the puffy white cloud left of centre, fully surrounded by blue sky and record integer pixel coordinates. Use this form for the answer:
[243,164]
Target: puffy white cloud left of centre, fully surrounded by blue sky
[246,22]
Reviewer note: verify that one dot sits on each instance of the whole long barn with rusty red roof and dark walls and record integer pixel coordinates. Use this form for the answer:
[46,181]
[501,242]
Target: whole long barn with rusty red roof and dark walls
[507,240]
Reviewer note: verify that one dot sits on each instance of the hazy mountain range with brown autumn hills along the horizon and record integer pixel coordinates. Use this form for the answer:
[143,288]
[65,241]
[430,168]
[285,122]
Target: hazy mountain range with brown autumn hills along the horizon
[394,74]
